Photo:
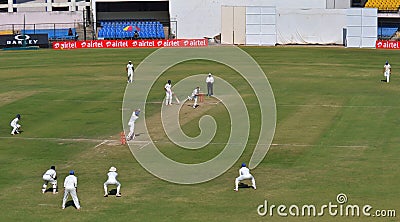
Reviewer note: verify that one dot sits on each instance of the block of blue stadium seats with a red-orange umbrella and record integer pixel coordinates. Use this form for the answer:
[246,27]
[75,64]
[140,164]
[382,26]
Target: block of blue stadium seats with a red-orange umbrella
[126,29]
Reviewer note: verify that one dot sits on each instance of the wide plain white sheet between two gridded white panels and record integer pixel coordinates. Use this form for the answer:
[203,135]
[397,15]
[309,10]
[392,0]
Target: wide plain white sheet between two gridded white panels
[310,26]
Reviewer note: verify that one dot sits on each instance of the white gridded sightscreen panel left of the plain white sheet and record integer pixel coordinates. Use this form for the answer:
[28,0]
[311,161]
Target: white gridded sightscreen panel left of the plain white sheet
[260,25]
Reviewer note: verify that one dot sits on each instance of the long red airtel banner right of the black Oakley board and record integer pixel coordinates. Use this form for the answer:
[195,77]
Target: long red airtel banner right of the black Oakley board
[130,44]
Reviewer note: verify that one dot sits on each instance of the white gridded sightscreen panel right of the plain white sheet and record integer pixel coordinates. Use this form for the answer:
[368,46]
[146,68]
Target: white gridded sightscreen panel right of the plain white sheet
[362,27]
